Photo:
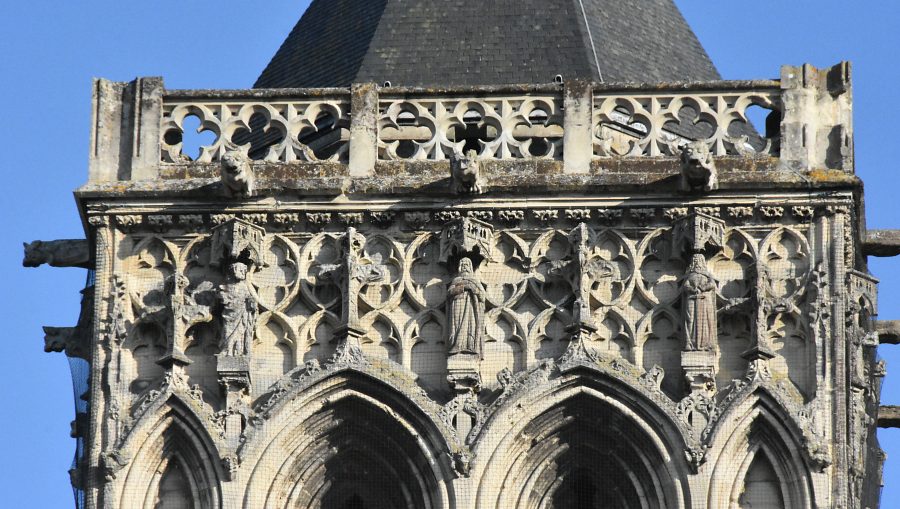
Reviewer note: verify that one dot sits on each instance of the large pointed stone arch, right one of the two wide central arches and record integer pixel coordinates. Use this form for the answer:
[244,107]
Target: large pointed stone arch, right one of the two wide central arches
[586,441]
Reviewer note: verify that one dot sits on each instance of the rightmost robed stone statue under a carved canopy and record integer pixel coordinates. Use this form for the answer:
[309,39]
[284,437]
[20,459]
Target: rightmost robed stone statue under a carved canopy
[698,305]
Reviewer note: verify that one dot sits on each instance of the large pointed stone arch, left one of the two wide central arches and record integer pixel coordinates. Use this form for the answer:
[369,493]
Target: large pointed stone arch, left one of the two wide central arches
[348,437]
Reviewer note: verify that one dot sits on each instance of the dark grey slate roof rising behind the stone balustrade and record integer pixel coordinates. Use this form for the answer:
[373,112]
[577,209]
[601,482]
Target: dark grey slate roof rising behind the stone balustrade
[487,42]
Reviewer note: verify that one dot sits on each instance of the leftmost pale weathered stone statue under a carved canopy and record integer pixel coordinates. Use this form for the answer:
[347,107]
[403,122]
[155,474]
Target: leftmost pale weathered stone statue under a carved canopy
[238,311]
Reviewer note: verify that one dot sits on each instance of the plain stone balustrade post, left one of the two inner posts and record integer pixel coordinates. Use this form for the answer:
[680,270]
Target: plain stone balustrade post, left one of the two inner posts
[363,129]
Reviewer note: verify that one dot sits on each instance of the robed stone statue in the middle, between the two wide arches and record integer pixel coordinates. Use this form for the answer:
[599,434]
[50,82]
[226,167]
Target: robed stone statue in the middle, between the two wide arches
[465,311]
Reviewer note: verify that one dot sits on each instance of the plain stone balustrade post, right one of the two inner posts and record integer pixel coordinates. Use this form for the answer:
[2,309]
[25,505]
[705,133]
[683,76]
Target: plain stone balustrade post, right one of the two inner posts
[577,129]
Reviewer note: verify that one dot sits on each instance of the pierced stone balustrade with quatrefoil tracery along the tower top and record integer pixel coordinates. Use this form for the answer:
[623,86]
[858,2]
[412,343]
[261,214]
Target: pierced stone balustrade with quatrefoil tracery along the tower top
[802,121]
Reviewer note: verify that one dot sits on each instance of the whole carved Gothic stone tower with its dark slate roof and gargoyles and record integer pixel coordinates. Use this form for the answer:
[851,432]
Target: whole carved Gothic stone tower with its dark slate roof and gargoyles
[453,255]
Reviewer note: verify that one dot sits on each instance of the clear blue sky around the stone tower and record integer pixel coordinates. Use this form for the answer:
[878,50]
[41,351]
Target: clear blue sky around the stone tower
[50,50]
